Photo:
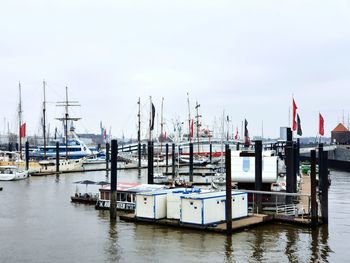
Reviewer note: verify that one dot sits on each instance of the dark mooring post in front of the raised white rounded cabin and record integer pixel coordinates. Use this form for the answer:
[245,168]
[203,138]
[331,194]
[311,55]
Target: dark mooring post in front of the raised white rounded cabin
[258,174]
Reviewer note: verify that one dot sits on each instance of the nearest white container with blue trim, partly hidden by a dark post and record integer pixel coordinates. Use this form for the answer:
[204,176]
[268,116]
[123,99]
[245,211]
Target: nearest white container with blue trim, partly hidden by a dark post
[209,208]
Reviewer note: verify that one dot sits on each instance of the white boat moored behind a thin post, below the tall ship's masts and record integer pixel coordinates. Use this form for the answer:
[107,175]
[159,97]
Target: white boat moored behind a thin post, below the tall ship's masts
[49,166]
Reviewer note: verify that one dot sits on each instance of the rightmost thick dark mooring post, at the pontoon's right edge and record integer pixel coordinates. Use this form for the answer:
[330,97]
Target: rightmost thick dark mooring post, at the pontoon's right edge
[324,187]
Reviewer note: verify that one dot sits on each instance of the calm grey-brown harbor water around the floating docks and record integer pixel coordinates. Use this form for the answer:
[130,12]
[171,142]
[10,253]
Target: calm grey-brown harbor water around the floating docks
[38,223]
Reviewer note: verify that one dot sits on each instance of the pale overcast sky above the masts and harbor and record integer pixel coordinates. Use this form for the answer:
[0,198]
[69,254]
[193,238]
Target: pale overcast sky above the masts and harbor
[246,58]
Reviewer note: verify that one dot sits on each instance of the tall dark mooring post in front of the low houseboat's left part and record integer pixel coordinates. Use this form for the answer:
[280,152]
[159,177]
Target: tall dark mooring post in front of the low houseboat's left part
[114,159]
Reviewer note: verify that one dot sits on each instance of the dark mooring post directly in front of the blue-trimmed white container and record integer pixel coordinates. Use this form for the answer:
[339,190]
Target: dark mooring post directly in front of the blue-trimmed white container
[228,204]
